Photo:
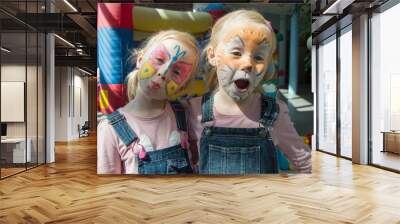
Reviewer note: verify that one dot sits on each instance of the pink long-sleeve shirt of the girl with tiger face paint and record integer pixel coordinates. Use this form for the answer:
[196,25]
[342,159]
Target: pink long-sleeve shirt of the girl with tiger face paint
[283,132]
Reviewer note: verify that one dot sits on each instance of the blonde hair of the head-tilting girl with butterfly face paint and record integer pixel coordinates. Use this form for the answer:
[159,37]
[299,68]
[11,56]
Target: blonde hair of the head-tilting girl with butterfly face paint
[184,37]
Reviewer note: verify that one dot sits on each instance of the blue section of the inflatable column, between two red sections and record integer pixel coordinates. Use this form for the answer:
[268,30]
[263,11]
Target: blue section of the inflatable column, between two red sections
[114,47]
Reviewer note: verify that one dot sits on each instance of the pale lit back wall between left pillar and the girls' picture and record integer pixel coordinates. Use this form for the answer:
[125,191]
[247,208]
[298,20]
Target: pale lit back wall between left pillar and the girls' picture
[71,94]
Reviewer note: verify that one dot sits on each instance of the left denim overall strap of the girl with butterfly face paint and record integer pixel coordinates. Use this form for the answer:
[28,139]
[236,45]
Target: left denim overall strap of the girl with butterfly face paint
[121,127]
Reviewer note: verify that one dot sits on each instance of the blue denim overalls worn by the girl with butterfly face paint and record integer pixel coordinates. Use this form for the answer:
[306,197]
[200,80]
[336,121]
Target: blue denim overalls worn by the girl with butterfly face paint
[171,160]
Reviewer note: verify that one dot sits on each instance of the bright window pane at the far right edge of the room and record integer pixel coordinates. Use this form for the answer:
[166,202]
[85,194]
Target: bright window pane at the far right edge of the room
[385,88]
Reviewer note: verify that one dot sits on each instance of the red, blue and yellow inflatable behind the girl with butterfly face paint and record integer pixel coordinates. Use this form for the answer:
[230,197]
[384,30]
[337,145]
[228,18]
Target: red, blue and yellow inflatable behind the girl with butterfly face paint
[120,31]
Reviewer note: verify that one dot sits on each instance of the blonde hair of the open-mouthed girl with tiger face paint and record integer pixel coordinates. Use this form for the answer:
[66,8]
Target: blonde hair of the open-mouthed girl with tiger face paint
[247,16]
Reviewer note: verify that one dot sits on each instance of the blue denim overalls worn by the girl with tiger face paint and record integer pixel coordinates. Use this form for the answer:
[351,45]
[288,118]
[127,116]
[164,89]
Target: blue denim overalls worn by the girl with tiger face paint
[238,150]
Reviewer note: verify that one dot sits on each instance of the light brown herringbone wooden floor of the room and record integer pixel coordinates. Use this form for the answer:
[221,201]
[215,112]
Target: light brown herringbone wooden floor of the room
[69,191]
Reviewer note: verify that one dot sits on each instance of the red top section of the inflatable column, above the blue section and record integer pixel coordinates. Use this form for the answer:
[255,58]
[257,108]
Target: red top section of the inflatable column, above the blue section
[114,15]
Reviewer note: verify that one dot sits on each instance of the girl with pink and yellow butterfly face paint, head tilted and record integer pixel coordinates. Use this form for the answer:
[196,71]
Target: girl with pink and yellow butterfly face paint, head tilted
[149,134]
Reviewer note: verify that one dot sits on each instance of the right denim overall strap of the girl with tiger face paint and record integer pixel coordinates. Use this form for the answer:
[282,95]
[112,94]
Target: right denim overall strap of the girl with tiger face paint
[269,111]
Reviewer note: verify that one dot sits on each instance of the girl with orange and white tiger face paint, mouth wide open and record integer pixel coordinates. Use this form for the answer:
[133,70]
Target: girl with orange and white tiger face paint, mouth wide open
[234,127]
